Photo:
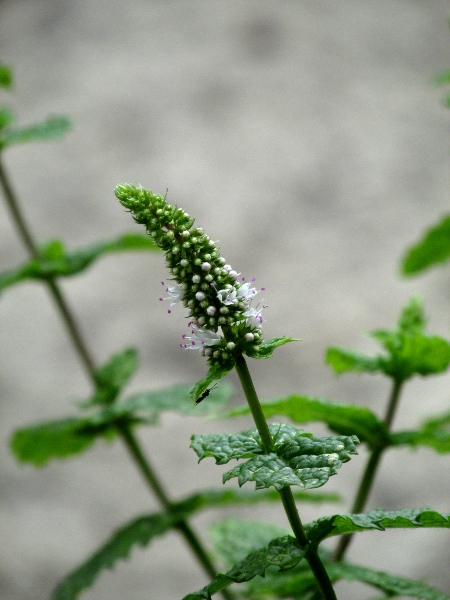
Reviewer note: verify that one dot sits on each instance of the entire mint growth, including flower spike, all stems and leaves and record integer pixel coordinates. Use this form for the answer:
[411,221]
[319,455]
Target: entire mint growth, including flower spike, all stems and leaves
[281,461]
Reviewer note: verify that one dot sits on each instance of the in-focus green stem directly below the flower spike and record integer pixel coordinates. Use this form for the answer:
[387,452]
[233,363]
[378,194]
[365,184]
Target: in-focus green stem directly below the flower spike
[287,497]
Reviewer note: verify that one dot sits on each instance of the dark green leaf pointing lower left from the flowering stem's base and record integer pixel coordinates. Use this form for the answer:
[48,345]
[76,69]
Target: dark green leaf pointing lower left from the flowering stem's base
[283,553]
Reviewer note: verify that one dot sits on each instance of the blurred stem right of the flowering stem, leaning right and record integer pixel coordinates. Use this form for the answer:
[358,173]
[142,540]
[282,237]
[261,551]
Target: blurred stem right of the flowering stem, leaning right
[366,484]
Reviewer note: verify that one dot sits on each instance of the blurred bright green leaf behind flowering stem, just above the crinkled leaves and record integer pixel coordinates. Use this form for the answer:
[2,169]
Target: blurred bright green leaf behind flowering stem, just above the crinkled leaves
[345,419]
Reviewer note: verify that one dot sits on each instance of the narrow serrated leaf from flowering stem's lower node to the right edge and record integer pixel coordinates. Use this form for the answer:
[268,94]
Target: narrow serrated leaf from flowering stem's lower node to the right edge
[378,519]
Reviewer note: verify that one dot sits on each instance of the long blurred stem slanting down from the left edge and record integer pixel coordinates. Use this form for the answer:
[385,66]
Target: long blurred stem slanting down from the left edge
[125,431]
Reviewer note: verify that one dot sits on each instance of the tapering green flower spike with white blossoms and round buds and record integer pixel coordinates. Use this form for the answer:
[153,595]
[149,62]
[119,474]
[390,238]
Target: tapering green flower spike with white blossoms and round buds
[222,319]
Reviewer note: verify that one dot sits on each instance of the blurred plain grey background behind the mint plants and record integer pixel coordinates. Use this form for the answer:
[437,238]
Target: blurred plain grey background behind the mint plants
[307,139]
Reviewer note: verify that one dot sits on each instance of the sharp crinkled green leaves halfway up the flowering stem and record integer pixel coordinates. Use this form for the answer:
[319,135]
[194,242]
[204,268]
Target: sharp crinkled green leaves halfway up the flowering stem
[298,458]
